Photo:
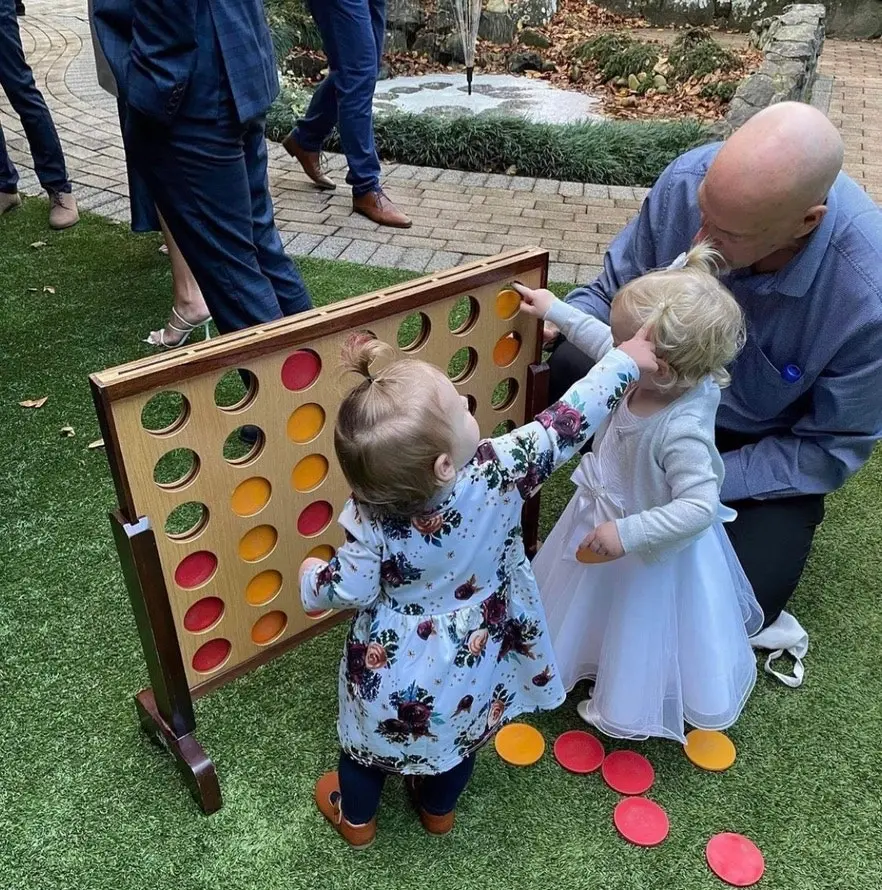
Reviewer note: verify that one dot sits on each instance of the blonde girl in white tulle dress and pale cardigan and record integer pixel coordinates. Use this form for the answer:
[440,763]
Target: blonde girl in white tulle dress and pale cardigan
[641,587]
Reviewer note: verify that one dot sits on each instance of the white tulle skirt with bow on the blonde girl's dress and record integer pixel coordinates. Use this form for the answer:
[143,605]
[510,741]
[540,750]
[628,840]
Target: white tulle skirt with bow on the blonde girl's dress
[666,642]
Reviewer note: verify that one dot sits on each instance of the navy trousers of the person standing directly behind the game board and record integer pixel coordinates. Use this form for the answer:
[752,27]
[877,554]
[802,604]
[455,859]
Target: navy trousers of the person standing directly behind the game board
[209,181]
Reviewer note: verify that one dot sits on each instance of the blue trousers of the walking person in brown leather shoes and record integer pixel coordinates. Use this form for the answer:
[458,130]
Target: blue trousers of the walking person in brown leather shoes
[352,34]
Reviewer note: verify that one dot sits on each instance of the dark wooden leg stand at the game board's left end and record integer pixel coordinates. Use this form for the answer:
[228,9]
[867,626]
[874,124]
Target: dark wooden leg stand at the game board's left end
[166,709]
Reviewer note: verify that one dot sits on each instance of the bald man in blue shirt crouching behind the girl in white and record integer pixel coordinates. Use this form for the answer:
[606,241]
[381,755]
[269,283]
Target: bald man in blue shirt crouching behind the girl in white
[804,244]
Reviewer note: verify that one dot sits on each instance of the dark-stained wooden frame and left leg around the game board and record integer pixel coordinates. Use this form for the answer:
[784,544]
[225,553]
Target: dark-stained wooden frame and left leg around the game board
[165,708]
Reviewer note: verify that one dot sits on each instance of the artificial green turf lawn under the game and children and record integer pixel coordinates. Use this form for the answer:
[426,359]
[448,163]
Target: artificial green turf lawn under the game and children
[87,802]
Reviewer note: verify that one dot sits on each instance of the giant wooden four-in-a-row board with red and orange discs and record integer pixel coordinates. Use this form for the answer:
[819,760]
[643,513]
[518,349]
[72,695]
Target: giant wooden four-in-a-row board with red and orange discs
[233,520]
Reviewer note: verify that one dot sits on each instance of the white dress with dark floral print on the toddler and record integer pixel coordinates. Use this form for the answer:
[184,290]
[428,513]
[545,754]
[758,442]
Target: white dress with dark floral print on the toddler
[449,639]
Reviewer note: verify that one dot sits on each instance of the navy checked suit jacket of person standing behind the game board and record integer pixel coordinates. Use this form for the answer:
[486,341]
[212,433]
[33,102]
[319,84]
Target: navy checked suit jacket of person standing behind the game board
[189,57]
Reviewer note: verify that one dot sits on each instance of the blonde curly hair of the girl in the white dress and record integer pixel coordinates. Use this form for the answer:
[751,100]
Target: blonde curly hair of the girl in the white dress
[695,322]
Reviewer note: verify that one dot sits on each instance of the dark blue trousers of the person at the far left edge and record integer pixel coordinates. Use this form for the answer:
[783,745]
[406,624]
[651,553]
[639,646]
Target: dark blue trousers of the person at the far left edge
[17,81]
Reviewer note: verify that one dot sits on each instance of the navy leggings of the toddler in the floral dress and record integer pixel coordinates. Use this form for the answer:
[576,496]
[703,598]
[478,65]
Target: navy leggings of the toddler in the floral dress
[361,786]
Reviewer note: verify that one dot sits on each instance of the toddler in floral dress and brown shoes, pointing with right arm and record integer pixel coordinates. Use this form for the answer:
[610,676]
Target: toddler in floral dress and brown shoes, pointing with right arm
[449,639]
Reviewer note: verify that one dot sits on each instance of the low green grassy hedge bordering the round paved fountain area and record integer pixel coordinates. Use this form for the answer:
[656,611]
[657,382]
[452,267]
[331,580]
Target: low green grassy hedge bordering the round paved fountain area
[606,153]
